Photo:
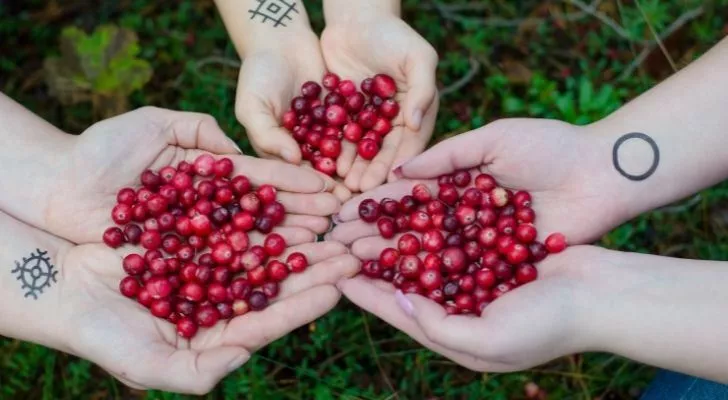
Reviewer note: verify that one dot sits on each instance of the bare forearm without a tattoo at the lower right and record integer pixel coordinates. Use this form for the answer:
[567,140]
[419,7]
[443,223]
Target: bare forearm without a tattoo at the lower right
[662,311]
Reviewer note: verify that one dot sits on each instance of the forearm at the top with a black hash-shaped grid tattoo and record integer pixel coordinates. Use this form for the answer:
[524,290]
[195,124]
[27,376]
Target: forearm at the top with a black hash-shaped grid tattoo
[261,25]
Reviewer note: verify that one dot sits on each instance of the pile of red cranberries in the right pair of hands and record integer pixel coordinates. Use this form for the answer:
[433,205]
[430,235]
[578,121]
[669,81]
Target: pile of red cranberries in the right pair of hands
[463,248]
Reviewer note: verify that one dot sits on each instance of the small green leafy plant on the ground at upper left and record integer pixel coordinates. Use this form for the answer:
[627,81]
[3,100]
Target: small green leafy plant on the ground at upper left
[102,68]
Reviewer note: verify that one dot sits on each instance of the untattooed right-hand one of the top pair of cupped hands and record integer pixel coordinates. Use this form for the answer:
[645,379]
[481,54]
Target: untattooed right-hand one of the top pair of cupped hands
[368,44]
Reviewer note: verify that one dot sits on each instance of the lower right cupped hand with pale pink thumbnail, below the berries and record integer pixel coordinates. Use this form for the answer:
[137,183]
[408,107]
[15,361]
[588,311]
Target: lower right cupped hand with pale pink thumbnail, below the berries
[531,325]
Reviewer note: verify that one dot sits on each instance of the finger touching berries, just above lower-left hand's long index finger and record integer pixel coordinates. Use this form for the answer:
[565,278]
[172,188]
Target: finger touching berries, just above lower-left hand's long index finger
[327,272]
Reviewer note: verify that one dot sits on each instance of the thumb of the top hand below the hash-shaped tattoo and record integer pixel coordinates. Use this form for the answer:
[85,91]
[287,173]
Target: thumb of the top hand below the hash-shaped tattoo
[265,132]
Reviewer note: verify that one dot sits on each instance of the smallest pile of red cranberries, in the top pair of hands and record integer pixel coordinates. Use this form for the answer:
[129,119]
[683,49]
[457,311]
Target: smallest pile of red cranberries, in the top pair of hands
[361,117]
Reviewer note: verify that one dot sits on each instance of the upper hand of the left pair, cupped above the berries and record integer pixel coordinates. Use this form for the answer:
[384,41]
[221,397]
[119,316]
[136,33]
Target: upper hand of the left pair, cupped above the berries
[113,153]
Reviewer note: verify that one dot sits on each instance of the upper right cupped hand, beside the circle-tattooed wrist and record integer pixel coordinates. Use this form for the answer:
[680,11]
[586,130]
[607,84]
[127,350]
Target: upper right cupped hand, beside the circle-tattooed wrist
[562,166]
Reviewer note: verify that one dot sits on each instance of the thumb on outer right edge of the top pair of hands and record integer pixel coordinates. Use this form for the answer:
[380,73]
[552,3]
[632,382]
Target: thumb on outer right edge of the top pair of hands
[420,68]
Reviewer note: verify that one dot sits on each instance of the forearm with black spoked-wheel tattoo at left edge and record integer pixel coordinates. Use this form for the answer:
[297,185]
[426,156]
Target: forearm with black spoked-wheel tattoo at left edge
[30,308]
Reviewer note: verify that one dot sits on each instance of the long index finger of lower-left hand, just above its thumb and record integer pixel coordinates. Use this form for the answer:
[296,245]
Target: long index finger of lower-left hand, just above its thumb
[256,329]
